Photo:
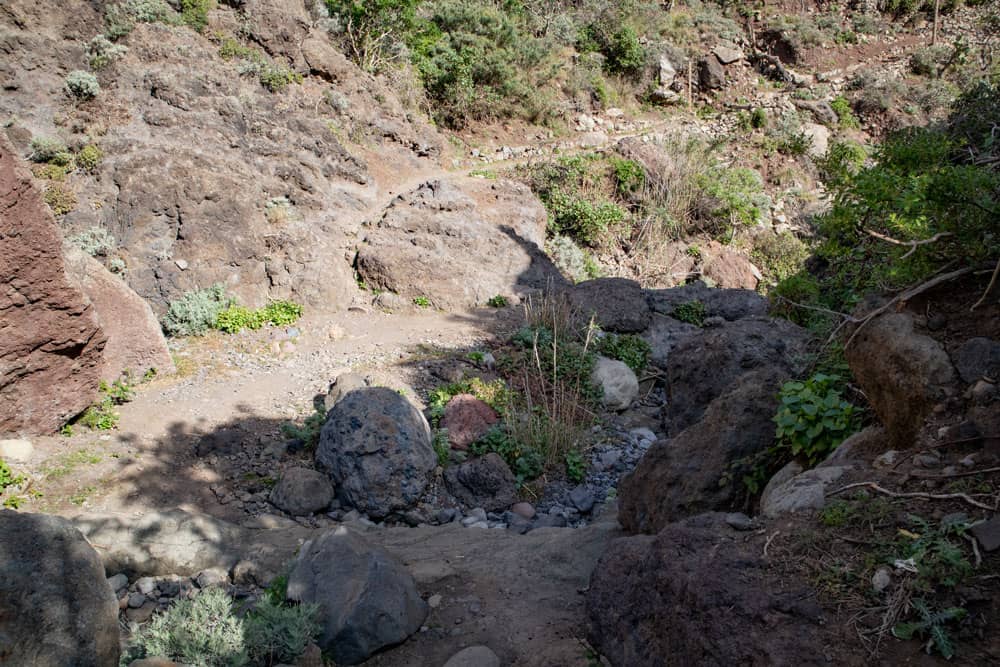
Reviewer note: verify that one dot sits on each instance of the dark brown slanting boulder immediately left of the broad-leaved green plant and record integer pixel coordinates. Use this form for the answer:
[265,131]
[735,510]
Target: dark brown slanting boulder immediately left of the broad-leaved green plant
[683,476]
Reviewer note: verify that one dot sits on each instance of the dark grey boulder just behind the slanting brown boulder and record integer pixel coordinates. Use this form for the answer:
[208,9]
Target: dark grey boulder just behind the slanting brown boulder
[702,367]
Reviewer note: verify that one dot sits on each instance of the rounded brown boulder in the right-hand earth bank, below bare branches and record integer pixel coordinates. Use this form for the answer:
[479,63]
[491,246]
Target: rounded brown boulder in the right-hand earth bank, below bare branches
[903,374]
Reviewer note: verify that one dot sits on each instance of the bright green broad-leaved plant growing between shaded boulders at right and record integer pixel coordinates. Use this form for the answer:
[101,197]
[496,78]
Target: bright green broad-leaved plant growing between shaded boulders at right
[813,418]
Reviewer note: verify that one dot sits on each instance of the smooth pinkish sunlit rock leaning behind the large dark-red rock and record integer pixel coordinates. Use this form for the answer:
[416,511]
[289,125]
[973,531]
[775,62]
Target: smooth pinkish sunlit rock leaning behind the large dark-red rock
[135,339]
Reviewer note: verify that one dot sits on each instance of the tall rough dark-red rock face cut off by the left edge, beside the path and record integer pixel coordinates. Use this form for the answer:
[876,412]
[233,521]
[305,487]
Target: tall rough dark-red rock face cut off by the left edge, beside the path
[50,341]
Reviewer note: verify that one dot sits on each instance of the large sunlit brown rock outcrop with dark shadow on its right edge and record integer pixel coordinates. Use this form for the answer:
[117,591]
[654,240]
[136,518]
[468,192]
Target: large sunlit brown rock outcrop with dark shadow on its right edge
[458,242]
